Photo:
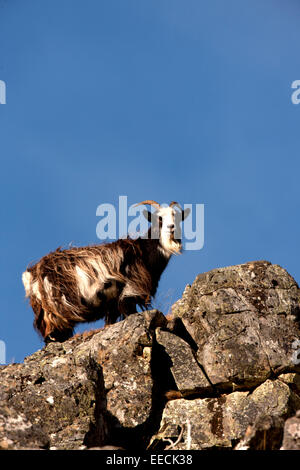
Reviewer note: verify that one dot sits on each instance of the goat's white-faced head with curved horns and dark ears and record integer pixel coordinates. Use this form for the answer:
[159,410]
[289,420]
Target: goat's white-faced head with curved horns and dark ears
[165,225]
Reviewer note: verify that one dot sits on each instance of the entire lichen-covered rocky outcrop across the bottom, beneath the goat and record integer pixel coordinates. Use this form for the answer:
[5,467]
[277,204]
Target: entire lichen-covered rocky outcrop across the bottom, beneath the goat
[224,372]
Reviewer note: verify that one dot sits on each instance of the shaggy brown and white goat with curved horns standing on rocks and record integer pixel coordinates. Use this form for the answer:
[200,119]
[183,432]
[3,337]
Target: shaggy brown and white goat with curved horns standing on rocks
[105,281]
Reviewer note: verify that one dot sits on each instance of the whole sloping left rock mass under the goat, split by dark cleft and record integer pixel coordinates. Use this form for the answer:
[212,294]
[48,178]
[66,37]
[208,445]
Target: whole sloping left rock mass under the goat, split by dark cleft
[89,387]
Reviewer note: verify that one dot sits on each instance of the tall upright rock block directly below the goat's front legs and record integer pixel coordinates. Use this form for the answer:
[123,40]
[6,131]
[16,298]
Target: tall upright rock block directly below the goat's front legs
[124,351]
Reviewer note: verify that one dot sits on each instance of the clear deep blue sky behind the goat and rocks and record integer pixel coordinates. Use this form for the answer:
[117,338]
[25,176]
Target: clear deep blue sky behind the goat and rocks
[164,100]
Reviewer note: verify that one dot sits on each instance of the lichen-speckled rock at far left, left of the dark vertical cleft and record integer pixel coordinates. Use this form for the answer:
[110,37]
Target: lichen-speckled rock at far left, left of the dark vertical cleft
[57,392]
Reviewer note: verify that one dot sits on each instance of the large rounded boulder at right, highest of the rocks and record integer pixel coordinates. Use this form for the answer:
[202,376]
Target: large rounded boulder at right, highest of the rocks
[243,320]
